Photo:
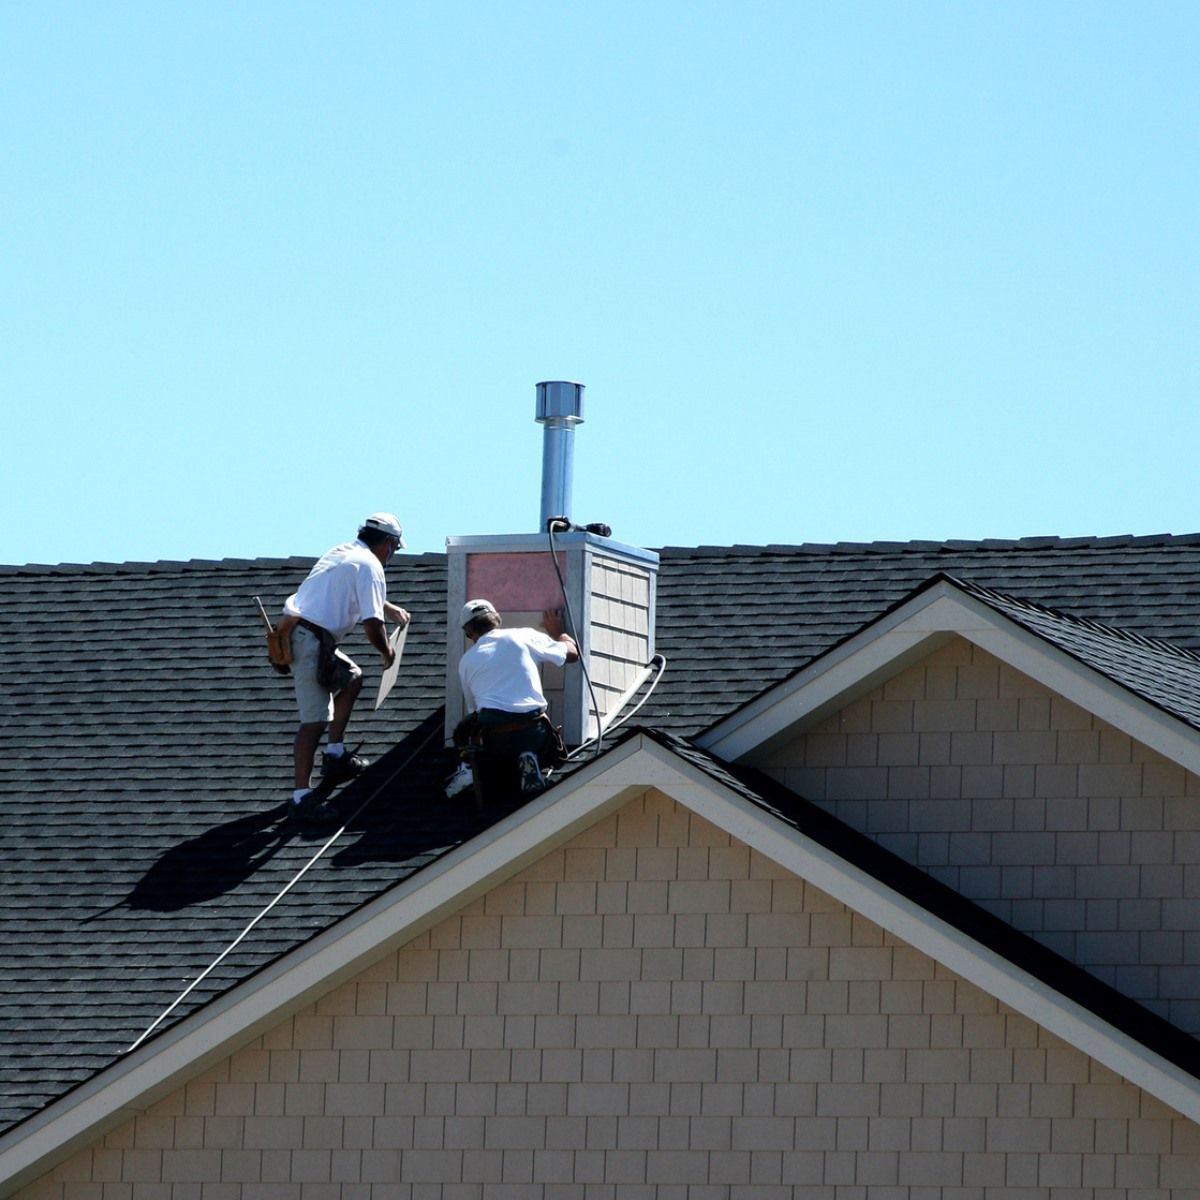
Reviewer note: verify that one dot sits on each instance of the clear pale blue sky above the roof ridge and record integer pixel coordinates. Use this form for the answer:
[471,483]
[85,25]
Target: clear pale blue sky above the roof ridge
[830,272]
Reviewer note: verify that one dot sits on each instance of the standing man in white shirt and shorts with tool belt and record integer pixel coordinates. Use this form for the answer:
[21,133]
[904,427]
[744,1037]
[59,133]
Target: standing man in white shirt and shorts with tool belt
[347,586]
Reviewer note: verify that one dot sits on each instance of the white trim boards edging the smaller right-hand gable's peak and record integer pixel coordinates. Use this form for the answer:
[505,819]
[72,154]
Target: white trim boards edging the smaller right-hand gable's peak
[915,631]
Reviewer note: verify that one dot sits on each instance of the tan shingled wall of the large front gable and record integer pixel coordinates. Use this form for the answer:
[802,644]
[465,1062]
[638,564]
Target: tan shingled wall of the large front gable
[653,1011]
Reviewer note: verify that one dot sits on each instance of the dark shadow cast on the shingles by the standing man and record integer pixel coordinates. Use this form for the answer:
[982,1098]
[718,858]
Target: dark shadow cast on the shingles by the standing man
[209,866]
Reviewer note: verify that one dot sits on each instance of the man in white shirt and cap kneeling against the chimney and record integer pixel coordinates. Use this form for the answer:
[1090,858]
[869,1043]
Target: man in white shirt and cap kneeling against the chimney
[501,686]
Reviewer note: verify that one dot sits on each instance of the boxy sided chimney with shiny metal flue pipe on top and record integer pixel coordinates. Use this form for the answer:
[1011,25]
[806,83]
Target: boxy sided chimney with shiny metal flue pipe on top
[608,587]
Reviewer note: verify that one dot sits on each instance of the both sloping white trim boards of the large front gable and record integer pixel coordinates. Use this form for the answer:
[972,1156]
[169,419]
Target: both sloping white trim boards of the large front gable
[530,833]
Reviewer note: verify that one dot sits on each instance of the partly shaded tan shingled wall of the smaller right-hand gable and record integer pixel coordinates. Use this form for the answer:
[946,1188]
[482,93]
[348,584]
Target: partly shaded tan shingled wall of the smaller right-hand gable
[1019,800]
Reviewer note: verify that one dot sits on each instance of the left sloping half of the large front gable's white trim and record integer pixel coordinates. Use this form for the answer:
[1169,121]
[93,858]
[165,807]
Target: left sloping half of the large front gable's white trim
[334,956]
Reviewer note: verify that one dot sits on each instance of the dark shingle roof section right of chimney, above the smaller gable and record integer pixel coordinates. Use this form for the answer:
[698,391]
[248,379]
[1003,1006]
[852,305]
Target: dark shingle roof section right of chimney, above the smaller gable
[734,621]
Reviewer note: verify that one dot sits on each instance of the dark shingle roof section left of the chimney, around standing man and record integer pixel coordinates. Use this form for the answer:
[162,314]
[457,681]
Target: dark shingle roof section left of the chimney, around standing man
[147,752]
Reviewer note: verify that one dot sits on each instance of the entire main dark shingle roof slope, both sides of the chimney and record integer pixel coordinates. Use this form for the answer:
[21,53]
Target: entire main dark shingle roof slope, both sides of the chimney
[147,751]
